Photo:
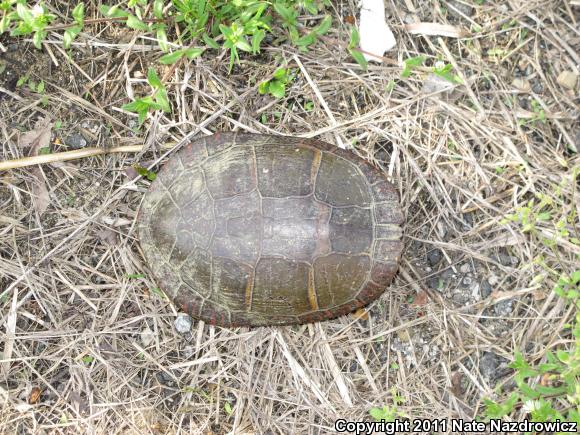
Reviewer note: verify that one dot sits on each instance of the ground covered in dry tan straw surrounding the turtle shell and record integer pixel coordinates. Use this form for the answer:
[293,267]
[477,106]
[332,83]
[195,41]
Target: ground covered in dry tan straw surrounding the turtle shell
[88,344]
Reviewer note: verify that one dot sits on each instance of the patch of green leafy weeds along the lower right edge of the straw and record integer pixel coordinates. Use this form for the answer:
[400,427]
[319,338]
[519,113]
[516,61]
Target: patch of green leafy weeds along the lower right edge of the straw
[549,390]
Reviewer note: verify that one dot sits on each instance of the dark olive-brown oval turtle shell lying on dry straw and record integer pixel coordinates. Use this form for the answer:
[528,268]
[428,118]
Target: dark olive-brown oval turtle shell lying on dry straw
[243,229]
